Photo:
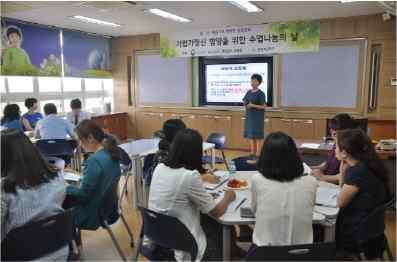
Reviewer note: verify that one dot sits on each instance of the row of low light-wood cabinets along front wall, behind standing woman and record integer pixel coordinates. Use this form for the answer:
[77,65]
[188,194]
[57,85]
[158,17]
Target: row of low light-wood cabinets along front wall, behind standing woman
[231,124]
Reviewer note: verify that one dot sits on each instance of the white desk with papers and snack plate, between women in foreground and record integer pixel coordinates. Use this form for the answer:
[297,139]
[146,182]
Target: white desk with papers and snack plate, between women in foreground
[232,217]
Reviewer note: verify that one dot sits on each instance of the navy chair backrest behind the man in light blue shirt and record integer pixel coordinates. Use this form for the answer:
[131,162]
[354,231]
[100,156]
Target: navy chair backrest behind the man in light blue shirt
[56,147]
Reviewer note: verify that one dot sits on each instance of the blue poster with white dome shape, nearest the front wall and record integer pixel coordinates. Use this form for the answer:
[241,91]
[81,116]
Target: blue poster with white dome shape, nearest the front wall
[86,55]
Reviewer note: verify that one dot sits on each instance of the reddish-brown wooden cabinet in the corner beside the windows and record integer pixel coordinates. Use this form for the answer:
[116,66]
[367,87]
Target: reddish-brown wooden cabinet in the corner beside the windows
[115,124]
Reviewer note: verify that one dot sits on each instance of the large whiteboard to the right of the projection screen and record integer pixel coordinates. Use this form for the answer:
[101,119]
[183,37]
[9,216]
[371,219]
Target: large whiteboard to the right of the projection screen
[329,78]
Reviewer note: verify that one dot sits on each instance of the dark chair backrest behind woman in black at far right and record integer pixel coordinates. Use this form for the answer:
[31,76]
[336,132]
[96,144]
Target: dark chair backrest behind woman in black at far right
[373,225]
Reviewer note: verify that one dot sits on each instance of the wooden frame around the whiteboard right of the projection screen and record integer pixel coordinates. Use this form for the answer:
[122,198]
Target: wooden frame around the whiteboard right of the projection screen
[361,80]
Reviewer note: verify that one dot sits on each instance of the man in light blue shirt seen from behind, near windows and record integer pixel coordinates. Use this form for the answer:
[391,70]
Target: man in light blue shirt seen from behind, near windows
[52,126]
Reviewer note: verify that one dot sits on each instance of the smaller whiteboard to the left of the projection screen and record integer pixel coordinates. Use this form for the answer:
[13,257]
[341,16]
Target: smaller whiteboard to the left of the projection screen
[161,81]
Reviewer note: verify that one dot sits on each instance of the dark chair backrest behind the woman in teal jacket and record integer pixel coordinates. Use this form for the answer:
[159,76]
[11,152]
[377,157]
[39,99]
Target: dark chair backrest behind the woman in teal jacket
[108,210]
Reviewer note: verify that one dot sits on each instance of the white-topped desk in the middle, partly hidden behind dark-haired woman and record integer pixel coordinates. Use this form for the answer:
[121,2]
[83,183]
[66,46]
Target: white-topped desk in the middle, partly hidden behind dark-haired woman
[144,147]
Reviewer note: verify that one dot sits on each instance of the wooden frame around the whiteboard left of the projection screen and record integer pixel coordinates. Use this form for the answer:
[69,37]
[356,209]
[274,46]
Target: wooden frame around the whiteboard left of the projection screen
[136,82]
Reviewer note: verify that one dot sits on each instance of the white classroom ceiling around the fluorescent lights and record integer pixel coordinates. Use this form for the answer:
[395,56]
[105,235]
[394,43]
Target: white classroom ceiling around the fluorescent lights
[204,14]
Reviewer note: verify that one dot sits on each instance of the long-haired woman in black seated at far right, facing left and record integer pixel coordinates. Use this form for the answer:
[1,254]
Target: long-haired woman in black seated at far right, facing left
[363,184]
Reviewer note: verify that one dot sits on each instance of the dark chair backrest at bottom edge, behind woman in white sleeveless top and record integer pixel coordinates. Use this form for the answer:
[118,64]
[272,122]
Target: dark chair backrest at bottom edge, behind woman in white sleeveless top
[306,252]
